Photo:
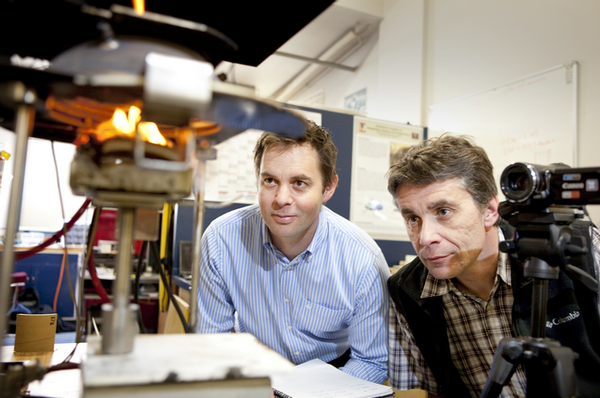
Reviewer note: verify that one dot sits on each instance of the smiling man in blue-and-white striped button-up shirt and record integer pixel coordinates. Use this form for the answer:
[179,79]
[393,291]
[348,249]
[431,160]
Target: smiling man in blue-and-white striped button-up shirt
[300,278]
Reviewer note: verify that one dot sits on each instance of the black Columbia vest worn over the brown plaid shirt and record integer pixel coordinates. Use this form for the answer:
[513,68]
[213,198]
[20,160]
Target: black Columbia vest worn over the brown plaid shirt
[572,313]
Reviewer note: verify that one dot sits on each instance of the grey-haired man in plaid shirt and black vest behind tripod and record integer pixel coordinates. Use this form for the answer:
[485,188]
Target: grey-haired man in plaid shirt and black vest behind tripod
[453,304]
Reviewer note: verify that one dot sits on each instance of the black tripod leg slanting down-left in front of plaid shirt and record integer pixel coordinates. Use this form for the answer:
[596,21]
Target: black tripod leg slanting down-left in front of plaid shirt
[505,363]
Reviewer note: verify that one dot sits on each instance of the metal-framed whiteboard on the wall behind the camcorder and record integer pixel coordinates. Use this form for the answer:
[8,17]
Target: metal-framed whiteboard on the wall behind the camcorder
[532,119]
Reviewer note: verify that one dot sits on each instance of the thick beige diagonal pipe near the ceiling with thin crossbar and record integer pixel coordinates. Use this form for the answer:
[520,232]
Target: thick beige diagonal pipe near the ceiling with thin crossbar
[339,51]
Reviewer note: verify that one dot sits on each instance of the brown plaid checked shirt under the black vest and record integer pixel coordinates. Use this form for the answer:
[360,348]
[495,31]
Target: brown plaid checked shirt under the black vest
[474,327]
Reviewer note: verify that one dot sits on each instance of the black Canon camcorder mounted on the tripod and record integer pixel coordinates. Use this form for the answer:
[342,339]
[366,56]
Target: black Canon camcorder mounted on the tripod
[539,186]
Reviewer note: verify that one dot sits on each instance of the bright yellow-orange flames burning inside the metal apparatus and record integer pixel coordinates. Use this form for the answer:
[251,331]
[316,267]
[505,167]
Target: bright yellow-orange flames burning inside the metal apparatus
[124,124]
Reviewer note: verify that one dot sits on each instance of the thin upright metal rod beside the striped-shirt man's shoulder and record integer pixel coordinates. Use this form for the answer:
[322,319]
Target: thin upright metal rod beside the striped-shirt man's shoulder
[199,186]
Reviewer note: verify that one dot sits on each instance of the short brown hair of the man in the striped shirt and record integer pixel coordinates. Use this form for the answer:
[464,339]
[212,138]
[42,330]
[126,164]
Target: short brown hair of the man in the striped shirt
[315,136]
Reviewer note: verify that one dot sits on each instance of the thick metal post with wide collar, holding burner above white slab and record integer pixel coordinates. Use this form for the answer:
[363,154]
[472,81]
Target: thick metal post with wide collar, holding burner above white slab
[118,319]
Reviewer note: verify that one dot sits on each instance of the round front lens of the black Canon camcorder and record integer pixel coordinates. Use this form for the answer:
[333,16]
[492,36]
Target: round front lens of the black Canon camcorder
[518,182]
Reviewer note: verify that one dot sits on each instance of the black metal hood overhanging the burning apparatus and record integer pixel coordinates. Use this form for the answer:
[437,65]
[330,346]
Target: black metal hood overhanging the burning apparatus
[45,28]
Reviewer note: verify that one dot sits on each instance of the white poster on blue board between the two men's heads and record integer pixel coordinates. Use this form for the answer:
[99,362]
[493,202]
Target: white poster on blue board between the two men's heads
[376,146]
